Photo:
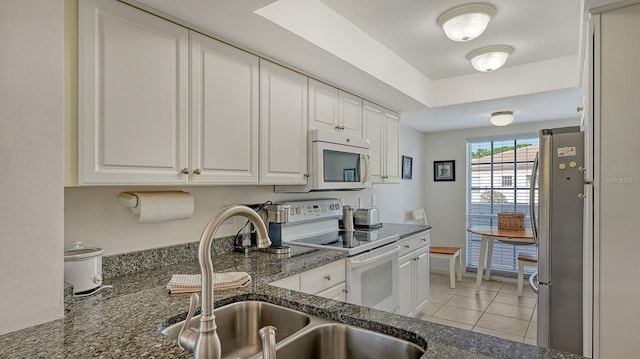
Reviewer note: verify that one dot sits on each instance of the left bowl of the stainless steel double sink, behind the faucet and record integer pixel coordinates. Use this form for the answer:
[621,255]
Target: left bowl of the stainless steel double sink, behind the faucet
[239,323]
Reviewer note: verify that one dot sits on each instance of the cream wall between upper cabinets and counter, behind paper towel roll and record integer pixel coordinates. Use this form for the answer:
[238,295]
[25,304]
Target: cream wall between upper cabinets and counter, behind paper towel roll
[93,216]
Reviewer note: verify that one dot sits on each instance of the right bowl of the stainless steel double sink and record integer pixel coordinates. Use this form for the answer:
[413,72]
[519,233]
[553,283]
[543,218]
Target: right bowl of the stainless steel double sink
[341,341]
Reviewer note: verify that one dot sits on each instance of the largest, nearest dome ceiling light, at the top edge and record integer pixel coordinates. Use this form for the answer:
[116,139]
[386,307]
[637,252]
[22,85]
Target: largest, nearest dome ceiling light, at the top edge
[466,22]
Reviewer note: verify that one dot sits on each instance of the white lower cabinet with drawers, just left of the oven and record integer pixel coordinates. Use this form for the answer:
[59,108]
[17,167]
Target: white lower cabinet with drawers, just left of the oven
[326,281]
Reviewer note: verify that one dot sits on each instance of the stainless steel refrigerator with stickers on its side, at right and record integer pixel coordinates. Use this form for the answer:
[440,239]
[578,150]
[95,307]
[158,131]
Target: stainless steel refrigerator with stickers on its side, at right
[558,230]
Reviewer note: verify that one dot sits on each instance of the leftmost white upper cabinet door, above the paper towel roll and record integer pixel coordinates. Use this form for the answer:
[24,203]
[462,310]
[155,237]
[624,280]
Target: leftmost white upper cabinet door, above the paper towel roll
[133,102]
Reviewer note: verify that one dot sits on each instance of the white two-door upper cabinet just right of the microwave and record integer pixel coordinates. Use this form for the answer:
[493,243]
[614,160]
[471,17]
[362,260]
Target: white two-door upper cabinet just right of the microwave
[382,128]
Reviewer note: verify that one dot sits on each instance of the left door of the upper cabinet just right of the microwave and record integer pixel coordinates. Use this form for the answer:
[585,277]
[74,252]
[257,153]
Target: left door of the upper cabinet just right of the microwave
[373,122]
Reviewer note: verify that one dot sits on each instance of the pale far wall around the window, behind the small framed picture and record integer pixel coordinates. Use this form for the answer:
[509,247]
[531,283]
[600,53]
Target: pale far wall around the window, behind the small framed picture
[446,201]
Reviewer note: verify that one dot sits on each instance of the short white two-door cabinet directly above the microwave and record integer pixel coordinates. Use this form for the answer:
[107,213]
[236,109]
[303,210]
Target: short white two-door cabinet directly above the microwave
[331,109]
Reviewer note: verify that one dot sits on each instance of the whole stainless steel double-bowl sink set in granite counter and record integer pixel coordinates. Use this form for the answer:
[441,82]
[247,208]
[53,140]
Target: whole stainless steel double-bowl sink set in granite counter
[299,335]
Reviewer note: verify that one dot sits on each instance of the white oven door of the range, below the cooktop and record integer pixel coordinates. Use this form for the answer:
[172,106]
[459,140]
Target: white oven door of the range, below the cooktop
[372,278]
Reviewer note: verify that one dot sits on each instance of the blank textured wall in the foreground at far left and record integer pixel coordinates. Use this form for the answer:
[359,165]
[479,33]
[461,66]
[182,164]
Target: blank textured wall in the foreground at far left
[31,141]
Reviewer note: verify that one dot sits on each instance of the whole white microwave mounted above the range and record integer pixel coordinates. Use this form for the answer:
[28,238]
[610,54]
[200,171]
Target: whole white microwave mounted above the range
[336,162]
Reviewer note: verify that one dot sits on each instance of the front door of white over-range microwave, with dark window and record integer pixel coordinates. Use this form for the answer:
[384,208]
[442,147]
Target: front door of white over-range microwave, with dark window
[339,166]
